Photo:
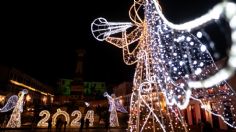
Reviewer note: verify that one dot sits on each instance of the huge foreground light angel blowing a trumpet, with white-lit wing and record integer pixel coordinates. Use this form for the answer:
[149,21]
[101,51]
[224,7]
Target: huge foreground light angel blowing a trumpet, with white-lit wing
[169,59]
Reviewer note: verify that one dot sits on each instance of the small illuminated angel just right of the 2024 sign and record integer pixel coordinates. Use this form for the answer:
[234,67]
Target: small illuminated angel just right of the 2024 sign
[114,106]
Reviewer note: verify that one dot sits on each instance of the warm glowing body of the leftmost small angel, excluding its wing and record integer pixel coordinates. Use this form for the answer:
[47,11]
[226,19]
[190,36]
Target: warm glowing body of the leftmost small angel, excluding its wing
[15,119]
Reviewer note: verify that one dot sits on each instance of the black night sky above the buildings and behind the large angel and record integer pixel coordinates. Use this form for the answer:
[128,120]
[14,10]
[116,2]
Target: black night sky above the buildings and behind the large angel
[41,38]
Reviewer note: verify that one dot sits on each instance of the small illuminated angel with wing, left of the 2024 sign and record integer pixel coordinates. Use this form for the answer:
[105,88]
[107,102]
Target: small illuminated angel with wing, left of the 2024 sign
[15,102]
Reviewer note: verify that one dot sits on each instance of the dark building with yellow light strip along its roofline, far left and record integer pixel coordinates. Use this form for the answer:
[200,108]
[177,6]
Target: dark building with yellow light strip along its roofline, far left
[12,81]
